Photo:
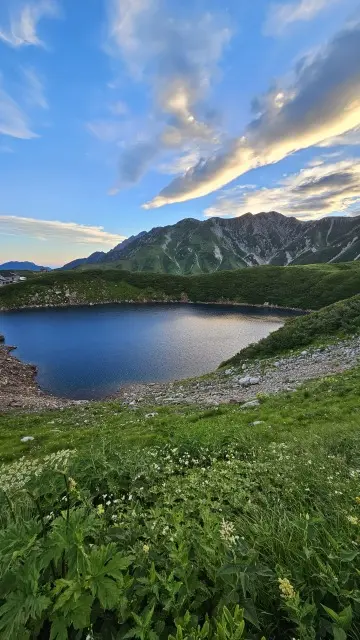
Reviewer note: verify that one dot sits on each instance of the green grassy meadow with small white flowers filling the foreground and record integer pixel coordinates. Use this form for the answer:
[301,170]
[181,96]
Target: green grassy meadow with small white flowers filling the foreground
[176,519]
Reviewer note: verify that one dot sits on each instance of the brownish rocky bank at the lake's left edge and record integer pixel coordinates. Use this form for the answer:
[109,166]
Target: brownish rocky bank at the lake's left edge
[19,389]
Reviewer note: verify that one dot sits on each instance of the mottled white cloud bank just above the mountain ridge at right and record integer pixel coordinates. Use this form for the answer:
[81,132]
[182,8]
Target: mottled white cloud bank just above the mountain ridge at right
[316,191]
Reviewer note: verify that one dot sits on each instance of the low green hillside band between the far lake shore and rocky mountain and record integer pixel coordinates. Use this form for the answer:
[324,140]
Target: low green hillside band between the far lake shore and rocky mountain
[305,287]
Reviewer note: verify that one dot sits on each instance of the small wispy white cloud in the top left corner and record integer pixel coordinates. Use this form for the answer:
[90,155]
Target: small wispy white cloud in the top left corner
[24,18]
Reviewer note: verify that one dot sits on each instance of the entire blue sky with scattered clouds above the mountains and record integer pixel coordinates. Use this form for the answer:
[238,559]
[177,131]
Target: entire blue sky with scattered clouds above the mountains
[117,116]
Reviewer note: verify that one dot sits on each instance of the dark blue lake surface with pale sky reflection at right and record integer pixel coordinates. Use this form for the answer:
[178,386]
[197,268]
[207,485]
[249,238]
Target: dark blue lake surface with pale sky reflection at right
[89,352]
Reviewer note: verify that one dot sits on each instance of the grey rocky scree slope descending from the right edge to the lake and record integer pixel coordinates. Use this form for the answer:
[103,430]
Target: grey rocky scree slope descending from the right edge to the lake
[242,385]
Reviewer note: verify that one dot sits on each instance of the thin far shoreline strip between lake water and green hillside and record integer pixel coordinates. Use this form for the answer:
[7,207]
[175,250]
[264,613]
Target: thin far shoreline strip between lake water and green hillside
[224,303]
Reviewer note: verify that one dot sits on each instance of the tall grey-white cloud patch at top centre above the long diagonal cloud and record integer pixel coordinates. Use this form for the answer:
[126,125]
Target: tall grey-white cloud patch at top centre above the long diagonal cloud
[177,58]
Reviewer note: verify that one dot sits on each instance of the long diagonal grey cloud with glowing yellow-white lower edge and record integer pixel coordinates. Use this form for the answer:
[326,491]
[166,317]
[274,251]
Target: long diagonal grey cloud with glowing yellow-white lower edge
[322,102]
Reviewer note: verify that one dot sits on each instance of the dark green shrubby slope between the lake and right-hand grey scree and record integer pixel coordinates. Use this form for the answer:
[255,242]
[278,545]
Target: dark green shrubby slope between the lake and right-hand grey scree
[339,320]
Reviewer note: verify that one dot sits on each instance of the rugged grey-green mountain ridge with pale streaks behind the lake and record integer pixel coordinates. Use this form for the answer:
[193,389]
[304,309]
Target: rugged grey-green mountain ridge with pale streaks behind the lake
[193,246]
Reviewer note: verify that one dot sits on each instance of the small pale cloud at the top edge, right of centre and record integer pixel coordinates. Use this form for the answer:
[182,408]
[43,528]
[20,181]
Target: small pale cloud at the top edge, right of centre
[281,15]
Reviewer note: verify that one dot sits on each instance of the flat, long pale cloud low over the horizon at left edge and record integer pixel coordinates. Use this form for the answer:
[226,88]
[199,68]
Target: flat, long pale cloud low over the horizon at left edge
[61,232]
